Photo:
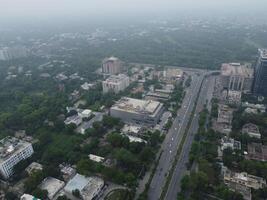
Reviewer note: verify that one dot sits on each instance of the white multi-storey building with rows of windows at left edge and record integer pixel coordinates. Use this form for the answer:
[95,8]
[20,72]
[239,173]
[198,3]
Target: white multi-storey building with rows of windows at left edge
[12,151]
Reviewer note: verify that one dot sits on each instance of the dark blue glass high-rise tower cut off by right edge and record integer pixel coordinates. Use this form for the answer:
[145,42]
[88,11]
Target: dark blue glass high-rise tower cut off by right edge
[260,84]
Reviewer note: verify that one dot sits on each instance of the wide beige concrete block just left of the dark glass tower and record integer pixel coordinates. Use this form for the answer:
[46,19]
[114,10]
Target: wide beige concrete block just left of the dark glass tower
[235,76]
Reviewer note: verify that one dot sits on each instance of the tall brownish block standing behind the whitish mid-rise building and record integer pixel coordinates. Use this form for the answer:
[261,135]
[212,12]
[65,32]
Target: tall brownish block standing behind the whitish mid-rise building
[111,65]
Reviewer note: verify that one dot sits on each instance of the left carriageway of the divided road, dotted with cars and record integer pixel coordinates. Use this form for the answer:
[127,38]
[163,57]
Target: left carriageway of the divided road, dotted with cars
[174,137]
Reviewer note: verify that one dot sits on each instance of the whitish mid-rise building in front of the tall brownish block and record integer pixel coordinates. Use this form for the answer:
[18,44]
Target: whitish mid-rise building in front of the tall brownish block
[116,83]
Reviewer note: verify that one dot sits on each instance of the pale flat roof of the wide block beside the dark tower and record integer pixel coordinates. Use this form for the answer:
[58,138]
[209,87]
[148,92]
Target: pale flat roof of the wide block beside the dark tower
[236,69]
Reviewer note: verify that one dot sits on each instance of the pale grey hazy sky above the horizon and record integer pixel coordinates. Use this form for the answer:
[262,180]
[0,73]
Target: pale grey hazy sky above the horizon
[18,9]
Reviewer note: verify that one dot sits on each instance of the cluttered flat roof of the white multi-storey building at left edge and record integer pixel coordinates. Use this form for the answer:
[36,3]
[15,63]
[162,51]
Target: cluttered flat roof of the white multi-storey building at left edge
[10,146]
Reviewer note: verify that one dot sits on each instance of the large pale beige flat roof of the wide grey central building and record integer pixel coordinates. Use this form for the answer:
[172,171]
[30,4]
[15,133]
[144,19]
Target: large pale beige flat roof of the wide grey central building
[136,105]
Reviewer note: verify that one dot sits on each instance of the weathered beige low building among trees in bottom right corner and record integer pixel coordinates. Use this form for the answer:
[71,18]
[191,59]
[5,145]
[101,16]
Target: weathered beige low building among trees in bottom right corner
[242,182]
